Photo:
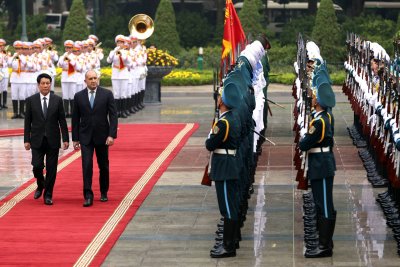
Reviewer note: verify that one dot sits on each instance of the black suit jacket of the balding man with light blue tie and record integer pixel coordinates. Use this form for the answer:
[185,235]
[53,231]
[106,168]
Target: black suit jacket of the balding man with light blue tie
[94,124]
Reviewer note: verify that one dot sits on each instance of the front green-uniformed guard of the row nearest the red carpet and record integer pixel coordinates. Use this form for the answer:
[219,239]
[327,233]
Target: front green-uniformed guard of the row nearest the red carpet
[223,142]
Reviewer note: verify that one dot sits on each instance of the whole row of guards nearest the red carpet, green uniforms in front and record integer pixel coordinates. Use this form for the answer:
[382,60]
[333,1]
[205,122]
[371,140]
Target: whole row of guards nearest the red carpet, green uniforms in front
[233,146]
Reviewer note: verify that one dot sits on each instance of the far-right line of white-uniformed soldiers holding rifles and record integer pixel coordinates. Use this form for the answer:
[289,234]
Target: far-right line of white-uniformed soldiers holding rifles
[372,86]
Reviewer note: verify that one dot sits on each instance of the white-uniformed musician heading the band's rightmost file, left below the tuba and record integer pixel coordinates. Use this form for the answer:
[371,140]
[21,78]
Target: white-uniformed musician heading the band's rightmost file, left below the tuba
[120,74]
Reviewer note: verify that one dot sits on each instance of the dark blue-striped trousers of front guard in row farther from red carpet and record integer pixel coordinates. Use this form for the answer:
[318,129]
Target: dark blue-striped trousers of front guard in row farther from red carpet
[322,193]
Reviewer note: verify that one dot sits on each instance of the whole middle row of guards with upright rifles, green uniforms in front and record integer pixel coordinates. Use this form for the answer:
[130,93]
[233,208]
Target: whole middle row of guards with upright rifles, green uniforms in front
[314,158]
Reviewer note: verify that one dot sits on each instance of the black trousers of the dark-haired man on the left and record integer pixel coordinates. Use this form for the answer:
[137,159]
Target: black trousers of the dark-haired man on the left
[51,167]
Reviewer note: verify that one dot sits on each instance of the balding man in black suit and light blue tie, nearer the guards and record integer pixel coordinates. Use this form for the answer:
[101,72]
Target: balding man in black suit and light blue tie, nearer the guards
[94,128]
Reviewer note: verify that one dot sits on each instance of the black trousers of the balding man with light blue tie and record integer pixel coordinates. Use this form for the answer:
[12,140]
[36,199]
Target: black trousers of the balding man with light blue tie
[87,168]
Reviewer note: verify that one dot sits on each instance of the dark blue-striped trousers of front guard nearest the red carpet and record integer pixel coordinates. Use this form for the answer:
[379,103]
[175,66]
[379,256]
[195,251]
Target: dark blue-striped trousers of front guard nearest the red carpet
[228,198]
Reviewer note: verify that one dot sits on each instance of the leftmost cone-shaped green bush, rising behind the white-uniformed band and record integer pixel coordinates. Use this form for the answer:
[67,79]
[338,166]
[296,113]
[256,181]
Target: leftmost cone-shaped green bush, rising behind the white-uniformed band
[76,26]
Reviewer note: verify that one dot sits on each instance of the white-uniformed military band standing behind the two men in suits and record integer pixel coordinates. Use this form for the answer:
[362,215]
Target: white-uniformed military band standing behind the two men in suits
[128,61]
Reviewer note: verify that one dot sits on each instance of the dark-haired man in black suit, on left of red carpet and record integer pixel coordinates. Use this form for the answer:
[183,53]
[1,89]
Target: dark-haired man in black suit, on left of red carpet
[44,118]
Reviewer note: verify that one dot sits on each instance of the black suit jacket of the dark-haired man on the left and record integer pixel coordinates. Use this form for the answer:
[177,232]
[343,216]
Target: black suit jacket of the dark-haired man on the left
[37,126]
